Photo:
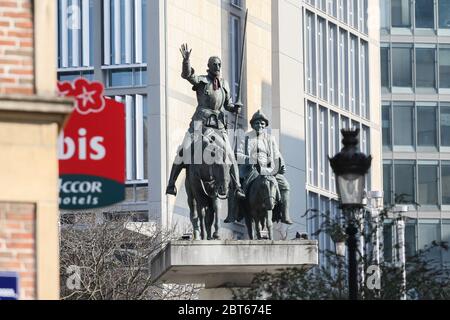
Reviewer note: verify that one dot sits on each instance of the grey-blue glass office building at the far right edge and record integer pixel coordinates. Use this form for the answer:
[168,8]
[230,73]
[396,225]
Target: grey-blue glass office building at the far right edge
[415,81]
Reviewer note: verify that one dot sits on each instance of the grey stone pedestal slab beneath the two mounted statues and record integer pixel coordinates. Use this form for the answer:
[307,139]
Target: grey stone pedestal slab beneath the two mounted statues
[222,265]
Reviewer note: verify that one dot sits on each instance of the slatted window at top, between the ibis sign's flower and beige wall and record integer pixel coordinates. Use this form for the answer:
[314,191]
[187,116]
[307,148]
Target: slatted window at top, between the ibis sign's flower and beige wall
[124,31]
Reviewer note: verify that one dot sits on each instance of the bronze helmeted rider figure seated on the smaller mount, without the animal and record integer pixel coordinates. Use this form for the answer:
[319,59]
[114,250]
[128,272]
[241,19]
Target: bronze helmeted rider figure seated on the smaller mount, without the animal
[259,155]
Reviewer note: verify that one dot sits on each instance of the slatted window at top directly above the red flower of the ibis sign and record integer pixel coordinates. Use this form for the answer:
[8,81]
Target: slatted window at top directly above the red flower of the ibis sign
[74,33]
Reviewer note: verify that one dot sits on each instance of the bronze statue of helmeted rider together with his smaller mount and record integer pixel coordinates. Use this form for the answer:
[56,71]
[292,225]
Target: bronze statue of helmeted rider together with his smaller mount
[262,171]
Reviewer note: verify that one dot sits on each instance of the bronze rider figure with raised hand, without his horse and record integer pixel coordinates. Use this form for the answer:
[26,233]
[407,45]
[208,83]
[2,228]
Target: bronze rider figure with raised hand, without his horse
[213,96]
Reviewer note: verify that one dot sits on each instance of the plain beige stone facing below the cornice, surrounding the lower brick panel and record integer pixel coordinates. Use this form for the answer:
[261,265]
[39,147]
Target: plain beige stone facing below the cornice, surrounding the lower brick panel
[29,174]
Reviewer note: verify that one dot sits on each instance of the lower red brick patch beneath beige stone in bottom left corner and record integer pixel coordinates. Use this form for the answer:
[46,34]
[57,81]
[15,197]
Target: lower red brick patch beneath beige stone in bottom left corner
[17,244]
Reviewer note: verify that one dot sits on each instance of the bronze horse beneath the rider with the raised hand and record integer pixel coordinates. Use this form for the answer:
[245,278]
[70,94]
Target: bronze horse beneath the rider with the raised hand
[206,184]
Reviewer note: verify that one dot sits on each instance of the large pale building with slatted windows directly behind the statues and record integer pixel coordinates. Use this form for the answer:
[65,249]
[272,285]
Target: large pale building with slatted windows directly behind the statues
[311,66]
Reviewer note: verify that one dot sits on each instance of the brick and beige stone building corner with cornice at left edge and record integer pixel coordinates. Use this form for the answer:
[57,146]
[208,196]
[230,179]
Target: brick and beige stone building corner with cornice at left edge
[29,127]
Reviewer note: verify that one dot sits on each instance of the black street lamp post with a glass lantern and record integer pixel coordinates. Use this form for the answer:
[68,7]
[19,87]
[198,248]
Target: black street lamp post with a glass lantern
[350,168]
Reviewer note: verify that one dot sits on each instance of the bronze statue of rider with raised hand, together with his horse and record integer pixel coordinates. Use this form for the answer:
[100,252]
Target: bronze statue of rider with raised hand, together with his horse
[208,128]
